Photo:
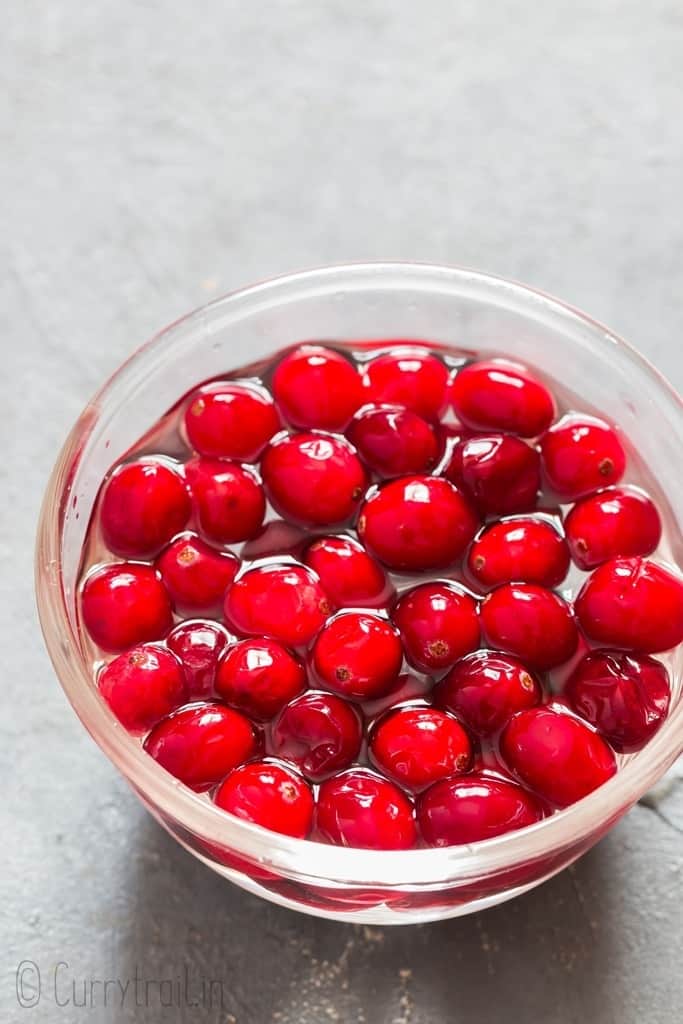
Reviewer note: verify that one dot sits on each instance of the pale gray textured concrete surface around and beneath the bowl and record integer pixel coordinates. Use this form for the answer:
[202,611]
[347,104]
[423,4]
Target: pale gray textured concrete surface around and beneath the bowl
[157,154]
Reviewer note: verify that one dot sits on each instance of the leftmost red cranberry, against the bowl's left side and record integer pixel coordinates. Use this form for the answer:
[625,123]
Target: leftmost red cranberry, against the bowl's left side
[125,604]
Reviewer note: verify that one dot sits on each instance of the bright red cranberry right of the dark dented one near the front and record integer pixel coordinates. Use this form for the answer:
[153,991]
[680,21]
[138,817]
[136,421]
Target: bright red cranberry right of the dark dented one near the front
[416,747]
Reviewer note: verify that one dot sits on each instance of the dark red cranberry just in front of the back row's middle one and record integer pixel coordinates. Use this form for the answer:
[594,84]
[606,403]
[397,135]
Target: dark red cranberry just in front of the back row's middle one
[394,442]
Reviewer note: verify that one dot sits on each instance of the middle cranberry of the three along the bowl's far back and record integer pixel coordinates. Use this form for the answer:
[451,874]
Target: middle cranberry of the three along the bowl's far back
[411,377]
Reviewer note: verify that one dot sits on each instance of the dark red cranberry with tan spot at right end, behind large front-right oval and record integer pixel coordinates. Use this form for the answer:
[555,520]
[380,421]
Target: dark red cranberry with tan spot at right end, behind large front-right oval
[486,690]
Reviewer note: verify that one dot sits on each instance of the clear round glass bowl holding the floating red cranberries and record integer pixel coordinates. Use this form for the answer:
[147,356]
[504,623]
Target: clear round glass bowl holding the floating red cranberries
[453,307]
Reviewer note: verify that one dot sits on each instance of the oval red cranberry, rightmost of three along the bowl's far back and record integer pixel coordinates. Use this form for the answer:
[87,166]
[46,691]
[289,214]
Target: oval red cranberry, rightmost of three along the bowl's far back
[502,396]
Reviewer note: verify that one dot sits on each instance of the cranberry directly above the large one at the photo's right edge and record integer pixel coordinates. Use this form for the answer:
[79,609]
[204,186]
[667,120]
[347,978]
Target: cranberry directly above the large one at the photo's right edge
[617,523]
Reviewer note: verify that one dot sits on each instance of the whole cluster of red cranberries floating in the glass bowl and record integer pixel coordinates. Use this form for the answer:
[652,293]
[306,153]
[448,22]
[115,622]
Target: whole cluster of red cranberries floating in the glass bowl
[298,672]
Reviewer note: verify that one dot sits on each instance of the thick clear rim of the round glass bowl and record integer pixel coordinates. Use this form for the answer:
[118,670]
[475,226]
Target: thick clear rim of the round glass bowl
[308,860]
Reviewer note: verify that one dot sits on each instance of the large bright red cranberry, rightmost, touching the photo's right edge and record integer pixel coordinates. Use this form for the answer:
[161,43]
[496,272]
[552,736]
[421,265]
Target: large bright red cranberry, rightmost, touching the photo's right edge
[632,604]
